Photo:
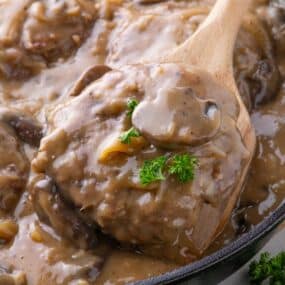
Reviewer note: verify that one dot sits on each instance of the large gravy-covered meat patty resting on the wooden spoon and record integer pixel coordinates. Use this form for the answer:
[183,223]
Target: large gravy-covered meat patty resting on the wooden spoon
[99,175]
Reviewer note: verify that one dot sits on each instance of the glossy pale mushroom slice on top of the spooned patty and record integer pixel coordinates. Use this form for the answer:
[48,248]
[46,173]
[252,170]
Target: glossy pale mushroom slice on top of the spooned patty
[177,116]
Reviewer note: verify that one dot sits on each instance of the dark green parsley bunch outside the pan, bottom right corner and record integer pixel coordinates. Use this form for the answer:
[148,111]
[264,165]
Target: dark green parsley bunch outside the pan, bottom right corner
[268,269]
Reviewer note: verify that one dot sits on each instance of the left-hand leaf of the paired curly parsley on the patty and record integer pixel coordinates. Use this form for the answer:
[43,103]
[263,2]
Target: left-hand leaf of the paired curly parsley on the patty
[152,170]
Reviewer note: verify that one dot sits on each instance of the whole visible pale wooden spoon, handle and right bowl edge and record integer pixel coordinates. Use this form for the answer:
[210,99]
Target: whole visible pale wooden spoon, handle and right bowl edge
[211,48]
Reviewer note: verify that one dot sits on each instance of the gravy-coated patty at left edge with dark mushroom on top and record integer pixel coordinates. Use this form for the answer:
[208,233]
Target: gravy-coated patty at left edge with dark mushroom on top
[15,130]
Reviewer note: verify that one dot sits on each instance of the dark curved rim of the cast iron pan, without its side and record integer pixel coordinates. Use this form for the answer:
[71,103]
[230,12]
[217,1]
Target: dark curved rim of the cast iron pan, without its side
[247,239]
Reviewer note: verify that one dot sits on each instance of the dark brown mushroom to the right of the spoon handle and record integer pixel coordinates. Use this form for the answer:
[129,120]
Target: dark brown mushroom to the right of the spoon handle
[259,80]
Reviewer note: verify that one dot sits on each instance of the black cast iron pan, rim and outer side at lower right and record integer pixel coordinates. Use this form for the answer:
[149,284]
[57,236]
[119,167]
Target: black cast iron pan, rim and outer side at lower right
[214,268]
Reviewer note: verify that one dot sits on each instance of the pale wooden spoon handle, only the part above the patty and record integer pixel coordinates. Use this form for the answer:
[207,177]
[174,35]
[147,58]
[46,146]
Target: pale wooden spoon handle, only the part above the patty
[211,46]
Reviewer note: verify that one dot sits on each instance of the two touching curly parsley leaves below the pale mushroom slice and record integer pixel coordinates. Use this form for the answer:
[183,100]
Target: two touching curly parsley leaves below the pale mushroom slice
[181,165]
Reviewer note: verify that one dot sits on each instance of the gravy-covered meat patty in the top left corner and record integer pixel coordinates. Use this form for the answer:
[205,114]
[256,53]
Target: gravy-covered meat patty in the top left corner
[33,33]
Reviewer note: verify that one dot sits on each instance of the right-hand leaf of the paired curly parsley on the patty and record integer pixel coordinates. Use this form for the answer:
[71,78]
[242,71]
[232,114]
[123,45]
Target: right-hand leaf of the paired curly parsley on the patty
[183,166]
